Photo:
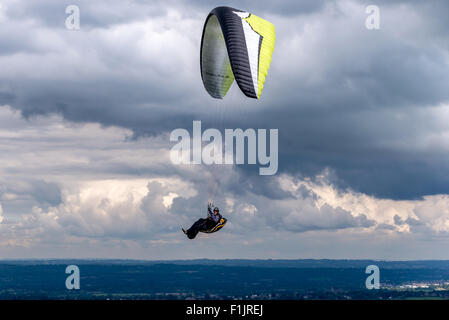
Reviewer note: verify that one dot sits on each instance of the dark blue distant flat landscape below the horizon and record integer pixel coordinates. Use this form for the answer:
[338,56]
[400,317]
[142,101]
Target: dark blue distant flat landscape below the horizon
[223,279]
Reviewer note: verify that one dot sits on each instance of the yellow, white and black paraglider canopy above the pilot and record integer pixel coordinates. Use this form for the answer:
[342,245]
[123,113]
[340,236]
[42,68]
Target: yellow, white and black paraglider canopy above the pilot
[235,45]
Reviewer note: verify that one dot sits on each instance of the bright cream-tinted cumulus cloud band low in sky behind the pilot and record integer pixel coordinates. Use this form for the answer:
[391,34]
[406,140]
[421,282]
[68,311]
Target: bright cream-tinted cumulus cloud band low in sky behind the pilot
[100,205]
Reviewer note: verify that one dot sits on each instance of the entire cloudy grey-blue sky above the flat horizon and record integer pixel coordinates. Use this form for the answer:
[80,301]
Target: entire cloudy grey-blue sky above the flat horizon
[85,119]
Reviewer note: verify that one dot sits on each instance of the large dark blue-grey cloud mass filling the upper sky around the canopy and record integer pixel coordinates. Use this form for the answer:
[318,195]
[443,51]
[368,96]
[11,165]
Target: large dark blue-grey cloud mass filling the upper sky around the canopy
[359,102]
